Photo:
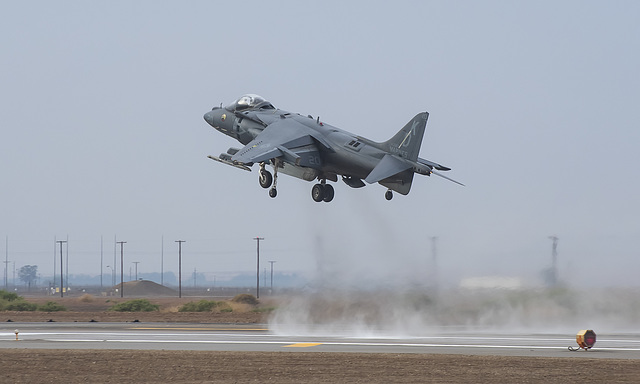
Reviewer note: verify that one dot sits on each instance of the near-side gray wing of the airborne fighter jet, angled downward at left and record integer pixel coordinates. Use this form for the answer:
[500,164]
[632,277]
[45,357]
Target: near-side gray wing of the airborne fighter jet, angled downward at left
[287,140]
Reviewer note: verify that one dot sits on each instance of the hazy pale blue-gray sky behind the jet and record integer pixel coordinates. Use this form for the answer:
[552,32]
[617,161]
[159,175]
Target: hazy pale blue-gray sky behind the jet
[534,106]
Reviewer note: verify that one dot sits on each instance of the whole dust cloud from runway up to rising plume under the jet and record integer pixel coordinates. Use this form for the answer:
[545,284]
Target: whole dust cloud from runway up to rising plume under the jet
[374,280]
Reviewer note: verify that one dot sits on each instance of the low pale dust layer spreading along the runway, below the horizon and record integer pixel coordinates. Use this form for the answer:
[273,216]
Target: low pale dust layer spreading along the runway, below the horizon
[351,311]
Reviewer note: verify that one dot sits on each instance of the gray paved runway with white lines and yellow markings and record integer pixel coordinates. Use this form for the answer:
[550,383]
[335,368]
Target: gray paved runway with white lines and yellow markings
[258,338]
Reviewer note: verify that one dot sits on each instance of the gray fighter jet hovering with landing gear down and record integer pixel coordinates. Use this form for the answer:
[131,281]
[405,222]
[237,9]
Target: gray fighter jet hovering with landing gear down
[309,149]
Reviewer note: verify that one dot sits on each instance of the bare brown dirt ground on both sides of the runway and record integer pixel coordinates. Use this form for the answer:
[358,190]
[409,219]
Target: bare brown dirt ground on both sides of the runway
[127,366]
